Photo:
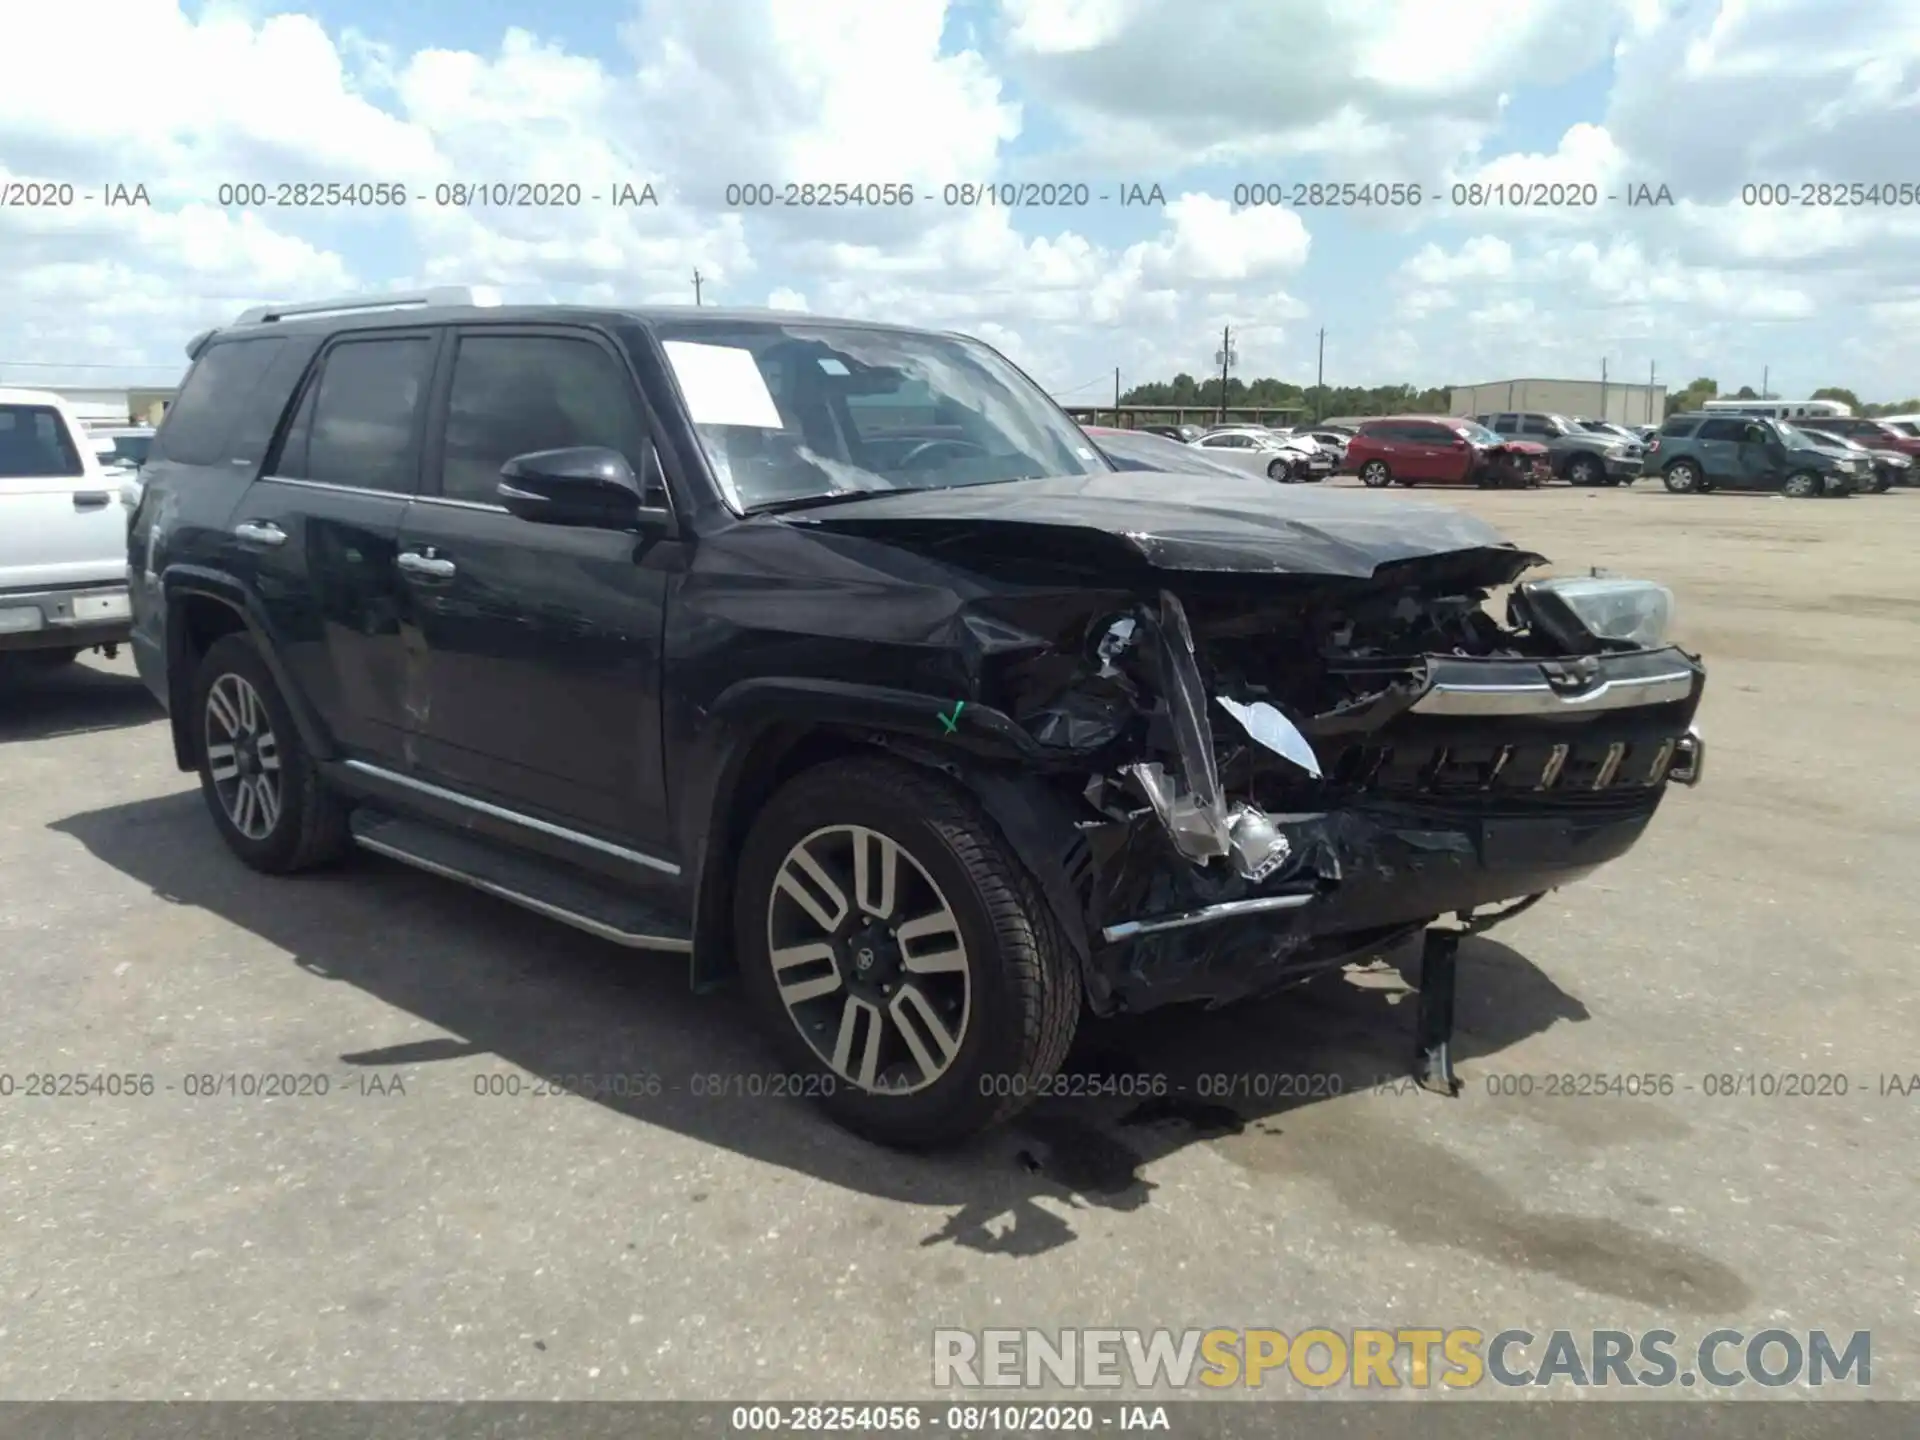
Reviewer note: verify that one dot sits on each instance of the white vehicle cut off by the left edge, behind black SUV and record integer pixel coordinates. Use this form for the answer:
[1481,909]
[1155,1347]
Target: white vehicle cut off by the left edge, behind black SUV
[62,535]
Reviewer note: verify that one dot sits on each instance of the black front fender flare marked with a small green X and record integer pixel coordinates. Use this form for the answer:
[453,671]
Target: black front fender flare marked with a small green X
[757,723]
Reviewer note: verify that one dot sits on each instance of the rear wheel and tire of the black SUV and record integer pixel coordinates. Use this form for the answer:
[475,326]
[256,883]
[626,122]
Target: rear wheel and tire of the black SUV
[245,732]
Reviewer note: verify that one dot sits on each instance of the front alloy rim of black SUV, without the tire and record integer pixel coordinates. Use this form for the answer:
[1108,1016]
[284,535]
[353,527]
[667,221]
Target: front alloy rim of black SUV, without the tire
[869,959]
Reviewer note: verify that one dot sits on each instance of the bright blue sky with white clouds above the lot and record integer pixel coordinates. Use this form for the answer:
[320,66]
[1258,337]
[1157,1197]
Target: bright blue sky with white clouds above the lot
[1088,97]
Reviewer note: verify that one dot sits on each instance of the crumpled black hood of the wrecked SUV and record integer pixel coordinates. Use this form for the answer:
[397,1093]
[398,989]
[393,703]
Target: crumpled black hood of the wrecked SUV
[1176,523]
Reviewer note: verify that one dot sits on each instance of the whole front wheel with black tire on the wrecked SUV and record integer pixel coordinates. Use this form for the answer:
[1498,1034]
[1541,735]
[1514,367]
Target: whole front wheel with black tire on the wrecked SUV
[1009,1011]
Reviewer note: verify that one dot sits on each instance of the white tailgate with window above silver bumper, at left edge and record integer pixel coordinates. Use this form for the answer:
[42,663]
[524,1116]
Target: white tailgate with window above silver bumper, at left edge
[60,517]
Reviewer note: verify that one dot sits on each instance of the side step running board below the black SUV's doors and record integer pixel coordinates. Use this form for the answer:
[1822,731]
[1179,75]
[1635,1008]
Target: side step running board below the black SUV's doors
[531,882]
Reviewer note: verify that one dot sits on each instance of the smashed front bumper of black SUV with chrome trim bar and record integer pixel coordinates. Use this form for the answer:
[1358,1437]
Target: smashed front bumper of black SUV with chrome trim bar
[1483,784]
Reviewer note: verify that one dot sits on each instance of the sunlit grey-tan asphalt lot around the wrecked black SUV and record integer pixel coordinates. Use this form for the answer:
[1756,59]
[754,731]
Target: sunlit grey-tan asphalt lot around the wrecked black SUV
[410,1237]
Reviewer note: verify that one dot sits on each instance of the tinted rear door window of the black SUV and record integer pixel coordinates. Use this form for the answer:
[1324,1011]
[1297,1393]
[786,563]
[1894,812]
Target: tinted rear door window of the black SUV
[356,423]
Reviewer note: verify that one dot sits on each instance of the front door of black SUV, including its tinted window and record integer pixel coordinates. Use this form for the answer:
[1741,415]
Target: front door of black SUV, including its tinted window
[537,648]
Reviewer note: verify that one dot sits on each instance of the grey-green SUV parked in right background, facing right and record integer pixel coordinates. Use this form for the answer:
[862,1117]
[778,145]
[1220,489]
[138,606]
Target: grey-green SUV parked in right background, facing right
[1704,452]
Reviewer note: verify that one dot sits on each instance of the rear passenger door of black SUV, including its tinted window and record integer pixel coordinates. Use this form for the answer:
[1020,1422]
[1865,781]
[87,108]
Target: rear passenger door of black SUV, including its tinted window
[318,535]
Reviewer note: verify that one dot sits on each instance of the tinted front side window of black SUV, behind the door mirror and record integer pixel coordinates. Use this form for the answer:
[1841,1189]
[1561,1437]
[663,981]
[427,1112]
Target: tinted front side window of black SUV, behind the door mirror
[517,395]
